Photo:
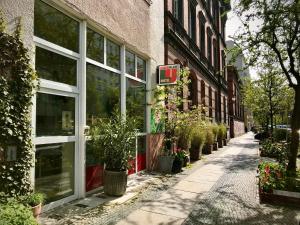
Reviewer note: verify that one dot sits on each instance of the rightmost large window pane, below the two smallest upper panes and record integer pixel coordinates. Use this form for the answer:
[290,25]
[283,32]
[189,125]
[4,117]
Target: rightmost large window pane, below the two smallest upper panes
[136,102]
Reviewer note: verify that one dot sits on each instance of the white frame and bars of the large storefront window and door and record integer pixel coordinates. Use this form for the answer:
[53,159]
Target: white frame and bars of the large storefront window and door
[79,93]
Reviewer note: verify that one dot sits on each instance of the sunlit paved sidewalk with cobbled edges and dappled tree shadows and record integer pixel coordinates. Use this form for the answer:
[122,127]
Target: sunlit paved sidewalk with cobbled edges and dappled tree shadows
[219,189]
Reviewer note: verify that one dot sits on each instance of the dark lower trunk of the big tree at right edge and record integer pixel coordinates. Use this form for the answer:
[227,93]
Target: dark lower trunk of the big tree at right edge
[295,125]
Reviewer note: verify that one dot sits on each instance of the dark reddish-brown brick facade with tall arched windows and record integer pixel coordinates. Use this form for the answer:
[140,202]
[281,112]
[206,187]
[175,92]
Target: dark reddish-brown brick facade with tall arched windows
[195,37]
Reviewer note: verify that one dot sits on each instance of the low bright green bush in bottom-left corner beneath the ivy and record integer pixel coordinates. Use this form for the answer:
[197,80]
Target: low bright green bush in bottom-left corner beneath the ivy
[15,213]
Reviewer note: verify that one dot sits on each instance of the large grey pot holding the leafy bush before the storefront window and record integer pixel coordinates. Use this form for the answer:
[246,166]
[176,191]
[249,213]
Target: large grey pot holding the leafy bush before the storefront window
[115,182]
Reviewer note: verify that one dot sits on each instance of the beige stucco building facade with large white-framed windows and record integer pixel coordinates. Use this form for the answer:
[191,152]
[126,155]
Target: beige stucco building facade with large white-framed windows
[91,57]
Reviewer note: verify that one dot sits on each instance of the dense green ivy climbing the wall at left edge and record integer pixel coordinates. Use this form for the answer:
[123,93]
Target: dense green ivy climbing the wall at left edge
[18,82]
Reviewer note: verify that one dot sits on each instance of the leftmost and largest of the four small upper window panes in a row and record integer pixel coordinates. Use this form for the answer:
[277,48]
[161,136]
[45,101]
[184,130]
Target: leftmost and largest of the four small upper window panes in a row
[95,46]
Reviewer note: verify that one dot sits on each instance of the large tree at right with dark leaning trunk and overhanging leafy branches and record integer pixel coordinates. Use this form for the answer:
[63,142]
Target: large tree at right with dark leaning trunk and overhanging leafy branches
[275,28]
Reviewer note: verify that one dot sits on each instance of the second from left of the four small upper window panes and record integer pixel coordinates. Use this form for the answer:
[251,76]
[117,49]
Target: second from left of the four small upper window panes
[112,54]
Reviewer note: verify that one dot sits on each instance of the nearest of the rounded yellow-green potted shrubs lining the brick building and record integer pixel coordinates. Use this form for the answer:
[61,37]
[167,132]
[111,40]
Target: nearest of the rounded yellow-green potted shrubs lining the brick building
[198,141]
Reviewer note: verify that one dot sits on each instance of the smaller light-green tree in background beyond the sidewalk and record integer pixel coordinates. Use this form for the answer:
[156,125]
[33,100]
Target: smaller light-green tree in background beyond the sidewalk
[268,96]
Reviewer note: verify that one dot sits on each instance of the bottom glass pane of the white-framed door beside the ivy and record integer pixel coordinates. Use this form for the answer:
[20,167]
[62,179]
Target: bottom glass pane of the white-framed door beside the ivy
[54,170]
